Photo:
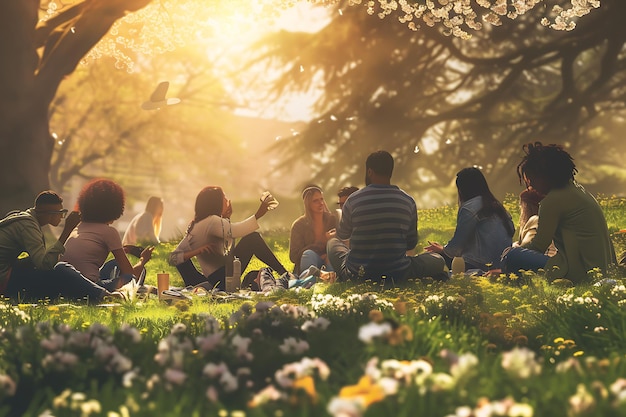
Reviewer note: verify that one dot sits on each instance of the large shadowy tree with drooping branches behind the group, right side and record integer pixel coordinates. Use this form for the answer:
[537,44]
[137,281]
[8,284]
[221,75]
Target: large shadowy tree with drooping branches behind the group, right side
[440,103]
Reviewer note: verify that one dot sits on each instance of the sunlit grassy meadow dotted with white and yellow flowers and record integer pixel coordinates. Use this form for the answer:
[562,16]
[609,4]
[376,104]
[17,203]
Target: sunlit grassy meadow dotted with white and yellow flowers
[472,346]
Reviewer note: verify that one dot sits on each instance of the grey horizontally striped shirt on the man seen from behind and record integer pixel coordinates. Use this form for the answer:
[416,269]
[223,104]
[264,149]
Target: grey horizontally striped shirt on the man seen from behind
[381,223]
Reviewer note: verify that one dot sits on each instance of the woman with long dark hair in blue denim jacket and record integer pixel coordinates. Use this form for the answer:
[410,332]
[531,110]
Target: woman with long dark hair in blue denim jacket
[483,227]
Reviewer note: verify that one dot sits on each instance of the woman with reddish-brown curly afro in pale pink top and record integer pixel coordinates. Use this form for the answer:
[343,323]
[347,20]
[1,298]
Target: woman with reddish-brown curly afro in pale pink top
[100,203]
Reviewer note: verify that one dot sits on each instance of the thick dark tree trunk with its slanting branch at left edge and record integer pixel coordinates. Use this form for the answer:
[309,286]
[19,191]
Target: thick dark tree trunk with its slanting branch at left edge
[29,83]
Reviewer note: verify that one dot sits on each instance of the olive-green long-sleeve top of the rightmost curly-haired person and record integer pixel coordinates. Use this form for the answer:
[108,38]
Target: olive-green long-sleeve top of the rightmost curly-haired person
[573,219]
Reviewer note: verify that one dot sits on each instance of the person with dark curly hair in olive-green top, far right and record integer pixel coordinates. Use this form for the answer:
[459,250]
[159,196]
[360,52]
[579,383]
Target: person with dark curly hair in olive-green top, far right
[568,215]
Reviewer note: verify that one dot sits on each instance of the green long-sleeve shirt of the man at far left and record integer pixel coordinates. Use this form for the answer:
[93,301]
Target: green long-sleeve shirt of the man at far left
[20,232]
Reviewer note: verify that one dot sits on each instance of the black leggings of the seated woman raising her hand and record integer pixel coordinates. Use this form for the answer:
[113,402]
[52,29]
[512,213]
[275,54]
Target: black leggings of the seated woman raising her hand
[248,246]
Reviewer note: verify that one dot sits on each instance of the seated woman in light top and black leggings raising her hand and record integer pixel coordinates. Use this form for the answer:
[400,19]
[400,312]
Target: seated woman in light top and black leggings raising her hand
[210,237]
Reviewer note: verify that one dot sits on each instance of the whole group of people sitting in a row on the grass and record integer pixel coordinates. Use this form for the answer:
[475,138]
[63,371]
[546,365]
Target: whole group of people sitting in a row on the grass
[371,236]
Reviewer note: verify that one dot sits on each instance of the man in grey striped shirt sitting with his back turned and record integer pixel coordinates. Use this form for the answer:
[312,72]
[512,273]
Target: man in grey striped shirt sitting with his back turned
[380,222]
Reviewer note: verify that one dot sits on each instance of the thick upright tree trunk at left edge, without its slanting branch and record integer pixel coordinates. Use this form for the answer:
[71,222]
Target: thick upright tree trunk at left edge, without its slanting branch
[25,143]
